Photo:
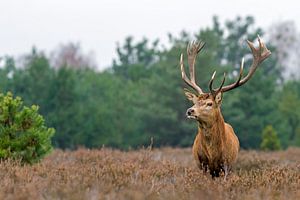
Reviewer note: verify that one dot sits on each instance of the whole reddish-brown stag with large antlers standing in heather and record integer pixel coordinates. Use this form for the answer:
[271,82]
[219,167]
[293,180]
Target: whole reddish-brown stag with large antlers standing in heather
[216,146]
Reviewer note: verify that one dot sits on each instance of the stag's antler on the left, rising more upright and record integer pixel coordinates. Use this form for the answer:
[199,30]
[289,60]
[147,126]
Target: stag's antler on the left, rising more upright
[192,51]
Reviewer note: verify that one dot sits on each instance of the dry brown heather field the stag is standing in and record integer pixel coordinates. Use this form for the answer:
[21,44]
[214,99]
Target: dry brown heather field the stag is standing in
[150,174]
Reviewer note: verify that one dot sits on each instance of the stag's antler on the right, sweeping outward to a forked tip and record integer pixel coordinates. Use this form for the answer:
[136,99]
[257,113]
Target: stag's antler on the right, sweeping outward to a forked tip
[259,55]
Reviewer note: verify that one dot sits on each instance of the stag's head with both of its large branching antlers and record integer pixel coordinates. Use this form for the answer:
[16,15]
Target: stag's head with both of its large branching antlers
[207,105]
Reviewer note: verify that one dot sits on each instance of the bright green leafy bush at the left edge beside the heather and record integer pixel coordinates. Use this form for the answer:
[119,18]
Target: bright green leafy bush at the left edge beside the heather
[23,134]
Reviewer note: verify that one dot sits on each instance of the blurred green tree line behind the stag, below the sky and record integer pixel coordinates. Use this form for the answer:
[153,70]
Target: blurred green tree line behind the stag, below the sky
[141,95]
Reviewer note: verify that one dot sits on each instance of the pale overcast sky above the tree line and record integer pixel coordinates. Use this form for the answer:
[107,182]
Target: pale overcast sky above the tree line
[99,24]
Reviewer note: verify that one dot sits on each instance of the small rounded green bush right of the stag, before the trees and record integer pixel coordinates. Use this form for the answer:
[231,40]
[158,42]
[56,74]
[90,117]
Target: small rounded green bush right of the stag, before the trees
[270,140]
